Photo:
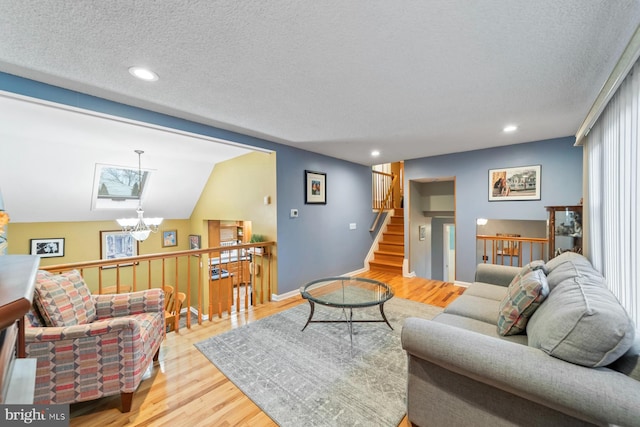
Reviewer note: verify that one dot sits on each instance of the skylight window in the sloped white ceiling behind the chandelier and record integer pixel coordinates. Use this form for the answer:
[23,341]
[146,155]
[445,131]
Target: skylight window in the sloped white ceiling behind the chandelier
[117,187]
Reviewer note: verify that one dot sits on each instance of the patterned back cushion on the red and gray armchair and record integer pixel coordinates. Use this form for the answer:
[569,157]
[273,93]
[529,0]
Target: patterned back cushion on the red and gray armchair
[64,299]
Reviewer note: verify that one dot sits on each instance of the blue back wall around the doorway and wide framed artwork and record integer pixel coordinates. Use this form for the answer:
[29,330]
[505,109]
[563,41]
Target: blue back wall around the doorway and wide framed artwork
[561,177]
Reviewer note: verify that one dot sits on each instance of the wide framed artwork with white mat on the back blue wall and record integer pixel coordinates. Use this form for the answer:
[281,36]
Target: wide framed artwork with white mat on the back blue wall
[520,183]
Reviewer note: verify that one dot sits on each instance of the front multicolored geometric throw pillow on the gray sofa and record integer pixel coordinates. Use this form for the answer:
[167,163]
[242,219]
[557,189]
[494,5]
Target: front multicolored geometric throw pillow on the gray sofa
[524,295]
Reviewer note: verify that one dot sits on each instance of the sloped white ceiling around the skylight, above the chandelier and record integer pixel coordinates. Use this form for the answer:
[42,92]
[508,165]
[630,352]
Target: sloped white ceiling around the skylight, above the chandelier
[49,156]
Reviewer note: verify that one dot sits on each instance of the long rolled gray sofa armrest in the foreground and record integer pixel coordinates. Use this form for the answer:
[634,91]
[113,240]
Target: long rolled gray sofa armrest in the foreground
[599,394]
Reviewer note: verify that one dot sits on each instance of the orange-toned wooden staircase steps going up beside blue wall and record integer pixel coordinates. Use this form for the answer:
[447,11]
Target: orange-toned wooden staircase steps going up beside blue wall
[390,254]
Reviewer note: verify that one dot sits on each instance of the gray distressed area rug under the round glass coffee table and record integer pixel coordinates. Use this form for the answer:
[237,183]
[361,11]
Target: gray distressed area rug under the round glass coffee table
[315,378]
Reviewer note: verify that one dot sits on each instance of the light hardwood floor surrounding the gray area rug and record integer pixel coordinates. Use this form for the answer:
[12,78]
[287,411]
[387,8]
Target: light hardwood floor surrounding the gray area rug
[185,389]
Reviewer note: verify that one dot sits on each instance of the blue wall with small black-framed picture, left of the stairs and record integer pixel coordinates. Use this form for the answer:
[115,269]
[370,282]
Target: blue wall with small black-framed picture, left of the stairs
[319,242]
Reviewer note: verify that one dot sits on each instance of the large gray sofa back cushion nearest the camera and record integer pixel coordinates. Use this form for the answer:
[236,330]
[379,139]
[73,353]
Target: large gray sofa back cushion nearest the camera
[581,321]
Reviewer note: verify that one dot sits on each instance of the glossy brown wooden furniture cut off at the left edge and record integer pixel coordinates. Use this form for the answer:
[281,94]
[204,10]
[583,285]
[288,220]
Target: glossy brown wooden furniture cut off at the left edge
[17,282]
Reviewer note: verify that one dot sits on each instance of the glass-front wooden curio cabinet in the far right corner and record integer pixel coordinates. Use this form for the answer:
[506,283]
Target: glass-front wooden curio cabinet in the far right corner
[564,229]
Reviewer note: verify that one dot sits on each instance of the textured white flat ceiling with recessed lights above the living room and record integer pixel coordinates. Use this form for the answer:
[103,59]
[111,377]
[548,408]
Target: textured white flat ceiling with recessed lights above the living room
[341,78]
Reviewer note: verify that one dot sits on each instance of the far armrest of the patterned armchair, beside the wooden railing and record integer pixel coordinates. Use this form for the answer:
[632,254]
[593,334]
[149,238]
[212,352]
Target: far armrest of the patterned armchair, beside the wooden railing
[127,304]
